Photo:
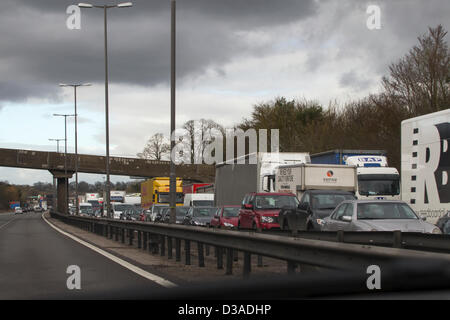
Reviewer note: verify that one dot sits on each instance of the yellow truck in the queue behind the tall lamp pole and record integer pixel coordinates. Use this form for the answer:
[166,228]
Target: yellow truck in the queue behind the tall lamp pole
[156,191]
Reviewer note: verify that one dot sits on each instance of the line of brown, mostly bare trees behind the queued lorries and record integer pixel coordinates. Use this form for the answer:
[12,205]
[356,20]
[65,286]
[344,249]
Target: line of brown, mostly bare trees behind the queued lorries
[416,84]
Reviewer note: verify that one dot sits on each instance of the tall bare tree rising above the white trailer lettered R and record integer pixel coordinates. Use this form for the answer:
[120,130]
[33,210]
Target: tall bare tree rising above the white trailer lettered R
[419,80]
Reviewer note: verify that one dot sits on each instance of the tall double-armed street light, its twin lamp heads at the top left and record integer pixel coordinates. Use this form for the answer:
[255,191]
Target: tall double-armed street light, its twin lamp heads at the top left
[105,7]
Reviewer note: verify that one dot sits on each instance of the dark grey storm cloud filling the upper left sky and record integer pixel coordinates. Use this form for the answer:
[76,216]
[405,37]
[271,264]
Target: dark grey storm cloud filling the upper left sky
[37,50]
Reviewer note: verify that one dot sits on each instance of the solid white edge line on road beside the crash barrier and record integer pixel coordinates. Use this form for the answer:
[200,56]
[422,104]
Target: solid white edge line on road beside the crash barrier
[152,277]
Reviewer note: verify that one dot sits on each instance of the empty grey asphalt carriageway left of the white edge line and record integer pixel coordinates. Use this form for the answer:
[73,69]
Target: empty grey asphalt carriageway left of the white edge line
[35,257]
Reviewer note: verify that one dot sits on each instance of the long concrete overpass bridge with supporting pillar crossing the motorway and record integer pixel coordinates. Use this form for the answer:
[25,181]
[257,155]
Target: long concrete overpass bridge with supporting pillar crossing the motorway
[55,163]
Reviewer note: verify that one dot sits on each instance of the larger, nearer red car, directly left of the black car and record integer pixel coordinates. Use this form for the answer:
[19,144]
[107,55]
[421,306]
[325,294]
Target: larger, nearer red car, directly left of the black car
[260,210]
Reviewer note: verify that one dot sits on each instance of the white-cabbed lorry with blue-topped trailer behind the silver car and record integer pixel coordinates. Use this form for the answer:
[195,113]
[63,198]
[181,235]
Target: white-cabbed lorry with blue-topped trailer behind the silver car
[376,180]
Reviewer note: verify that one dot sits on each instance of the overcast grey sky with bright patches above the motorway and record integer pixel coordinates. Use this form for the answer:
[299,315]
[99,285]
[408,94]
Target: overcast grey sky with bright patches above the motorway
[230,55]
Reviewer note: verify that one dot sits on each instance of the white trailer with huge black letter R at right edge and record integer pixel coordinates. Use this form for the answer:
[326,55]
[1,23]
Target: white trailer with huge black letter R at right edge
[425,164]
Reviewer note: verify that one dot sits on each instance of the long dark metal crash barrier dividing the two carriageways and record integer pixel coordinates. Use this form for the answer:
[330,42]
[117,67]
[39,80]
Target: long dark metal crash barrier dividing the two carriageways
[166,239]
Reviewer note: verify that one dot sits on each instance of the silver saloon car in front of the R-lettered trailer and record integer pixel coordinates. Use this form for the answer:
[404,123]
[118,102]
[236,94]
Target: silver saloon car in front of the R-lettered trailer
[376,215]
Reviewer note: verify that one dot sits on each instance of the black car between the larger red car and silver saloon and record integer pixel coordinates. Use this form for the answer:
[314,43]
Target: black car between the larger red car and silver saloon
[314,206]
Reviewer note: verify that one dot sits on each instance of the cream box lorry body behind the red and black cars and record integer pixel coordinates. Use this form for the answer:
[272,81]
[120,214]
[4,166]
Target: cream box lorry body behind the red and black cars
[298,178]
